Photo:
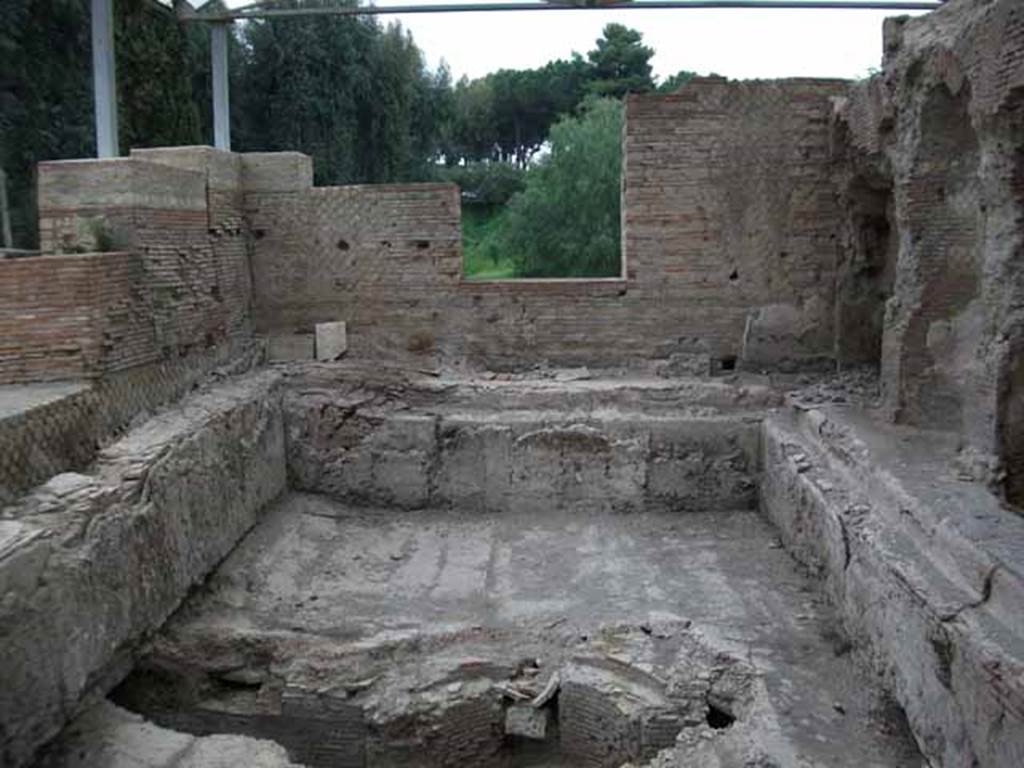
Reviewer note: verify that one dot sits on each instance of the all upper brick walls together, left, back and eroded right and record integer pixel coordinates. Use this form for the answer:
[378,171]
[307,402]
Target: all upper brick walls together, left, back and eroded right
[763,229]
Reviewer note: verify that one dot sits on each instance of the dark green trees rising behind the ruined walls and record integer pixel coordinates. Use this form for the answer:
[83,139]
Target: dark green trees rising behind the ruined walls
[356,96]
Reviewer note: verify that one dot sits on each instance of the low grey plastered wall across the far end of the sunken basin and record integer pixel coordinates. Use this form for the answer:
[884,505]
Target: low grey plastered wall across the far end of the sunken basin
[561,454]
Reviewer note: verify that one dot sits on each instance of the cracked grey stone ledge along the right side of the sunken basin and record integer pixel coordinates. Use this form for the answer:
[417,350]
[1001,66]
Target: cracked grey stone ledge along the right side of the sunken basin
[947,642]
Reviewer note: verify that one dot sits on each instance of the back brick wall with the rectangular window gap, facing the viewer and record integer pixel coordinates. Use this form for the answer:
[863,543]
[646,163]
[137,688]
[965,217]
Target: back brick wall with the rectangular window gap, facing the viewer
[730,245]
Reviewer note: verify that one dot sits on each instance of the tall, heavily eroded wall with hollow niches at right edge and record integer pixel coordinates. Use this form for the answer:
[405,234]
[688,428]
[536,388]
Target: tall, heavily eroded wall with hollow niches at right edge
[937,138]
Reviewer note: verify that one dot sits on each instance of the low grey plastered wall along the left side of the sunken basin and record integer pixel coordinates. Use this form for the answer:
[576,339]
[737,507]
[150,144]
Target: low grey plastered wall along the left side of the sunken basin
[92,564]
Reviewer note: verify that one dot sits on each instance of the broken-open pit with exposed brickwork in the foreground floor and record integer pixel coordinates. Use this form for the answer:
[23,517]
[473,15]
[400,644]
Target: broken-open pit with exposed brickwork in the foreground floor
[449,702]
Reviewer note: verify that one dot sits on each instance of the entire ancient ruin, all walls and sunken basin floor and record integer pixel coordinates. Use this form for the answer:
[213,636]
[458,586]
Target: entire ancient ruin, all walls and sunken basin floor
[278,487]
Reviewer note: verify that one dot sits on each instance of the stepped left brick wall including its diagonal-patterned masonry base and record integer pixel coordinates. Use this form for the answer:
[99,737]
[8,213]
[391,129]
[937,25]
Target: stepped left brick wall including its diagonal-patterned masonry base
[144,326]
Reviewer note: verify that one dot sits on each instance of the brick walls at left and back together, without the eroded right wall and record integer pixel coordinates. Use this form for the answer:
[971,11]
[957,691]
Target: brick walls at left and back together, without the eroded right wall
[729,239]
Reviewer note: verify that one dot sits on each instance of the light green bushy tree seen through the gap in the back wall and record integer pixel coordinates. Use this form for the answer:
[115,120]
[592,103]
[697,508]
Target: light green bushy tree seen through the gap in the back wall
[567,221]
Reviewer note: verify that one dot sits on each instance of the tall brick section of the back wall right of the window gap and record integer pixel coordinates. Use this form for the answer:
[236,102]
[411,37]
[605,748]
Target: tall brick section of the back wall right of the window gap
[732,217]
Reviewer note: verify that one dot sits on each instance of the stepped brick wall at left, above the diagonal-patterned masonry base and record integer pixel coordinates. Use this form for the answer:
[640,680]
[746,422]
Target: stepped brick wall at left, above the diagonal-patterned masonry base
[182,287]
